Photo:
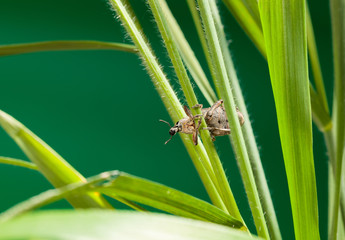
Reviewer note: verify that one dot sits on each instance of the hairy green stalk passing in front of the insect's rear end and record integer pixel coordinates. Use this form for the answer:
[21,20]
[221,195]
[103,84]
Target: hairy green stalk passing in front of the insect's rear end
[223,86]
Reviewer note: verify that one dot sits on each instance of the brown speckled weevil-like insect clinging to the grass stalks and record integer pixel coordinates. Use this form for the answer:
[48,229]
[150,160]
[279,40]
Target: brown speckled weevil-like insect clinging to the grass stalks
[215,118]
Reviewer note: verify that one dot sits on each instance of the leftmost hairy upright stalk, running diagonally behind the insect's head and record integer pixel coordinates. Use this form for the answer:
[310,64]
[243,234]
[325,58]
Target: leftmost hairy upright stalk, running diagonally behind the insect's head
[168,96]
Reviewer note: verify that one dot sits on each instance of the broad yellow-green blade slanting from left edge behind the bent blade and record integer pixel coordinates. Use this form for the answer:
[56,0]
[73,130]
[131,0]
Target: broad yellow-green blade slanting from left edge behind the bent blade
[49,163]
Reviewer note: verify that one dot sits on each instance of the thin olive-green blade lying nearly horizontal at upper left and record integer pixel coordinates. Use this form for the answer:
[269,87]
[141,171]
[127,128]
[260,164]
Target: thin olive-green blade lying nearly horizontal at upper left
[23,48]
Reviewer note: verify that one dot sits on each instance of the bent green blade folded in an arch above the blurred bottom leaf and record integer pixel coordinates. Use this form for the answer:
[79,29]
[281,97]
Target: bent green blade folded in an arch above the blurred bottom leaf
[129,189]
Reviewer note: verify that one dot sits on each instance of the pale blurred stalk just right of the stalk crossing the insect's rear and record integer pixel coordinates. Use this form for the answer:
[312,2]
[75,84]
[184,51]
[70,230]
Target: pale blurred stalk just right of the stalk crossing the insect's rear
[252,148]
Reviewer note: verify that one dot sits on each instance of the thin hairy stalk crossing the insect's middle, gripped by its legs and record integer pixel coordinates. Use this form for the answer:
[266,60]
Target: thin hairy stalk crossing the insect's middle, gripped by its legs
[220,178]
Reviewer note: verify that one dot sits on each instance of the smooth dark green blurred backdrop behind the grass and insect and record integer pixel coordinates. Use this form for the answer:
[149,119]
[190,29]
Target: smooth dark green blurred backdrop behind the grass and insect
[100,111]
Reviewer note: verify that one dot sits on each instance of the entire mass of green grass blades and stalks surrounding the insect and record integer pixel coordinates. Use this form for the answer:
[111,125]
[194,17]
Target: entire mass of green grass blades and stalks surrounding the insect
[282,31]
